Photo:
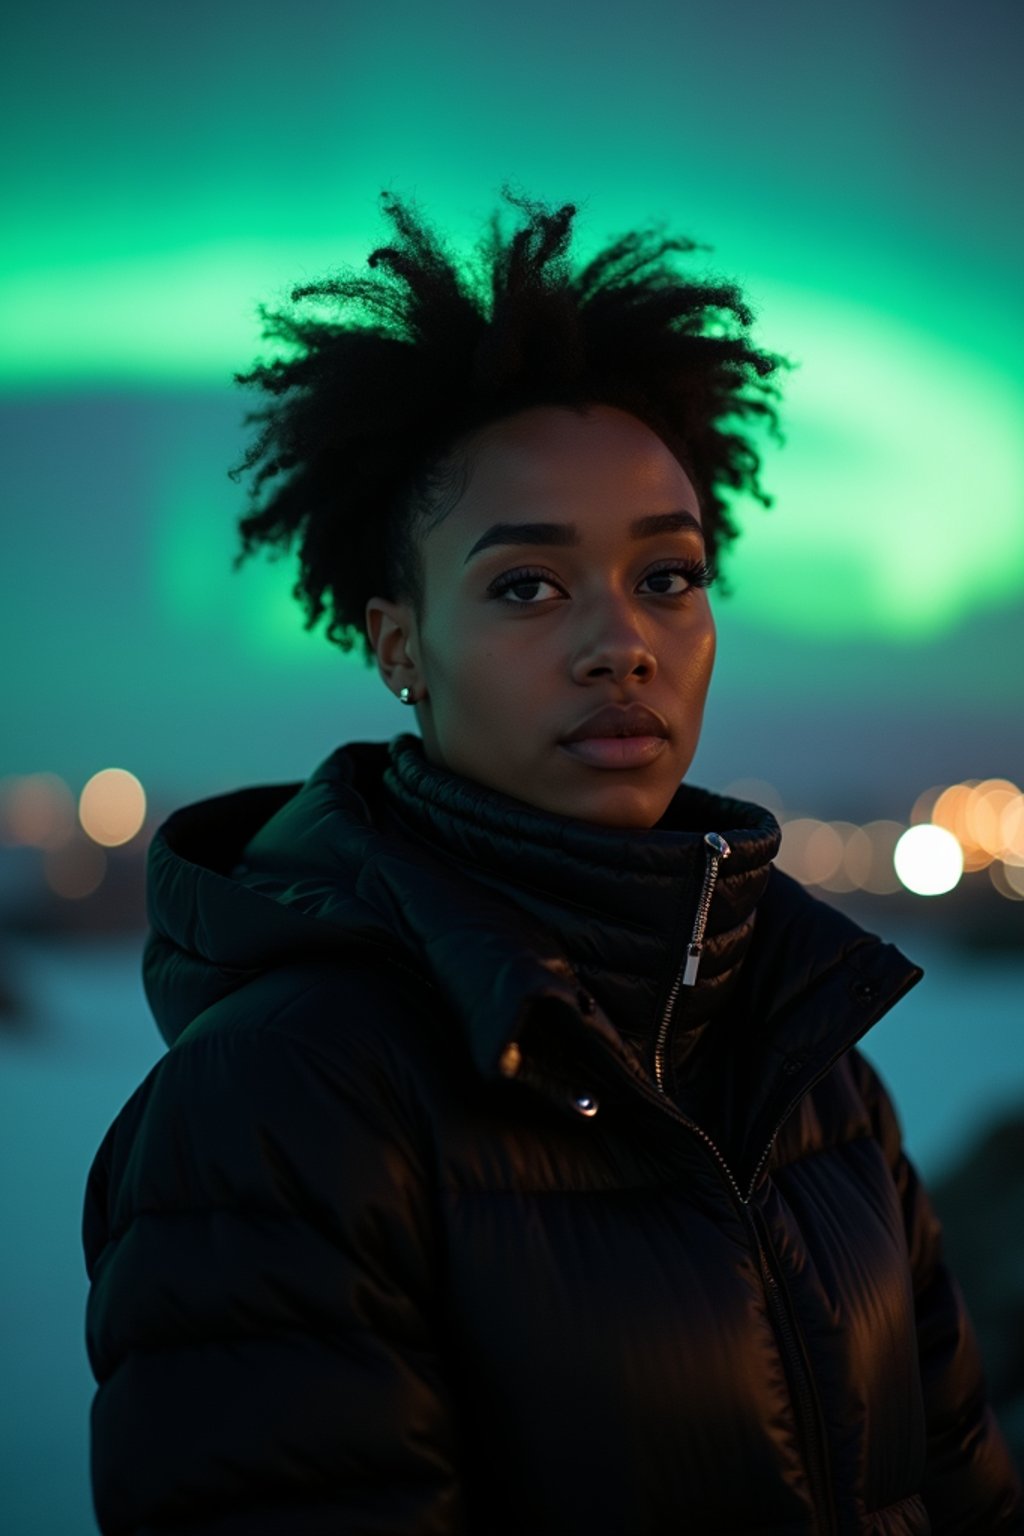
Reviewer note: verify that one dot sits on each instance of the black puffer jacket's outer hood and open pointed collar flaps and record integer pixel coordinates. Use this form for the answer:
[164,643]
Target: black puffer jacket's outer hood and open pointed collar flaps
[277,875]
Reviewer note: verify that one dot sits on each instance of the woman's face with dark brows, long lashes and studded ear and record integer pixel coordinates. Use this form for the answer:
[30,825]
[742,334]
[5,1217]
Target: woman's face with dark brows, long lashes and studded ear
[561,584]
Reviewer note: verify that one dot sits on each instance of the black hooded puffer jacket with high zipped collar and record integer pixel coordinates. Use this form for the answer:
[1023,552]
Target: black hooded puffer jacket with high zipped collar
[452,1211]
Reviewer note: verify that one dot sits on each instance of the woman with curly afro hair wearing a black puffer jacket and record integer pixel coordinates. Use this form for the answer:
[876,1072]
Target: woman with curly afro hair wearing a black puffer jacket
[514,1167]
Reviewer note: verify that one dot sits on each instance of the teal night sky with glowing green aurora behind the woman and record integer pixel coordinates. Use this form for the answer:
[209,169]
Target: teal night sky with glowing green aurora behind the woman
[856,168]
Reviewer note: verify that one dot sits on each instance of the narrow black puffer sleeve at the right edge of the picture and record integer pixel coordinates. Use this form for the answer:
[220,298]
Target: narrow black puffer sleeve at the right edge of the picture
[971,1485]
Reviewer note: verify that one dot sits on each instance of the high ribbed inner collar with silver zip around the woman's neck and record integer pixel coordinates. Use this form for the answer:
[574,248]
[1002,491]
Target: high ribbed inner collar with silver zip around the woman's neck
[621,904]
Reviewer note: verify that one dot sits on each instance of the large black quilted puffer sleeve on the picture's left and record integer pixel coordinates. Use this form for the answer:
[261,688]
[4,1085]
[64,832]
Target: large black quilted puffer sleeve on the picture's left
[262,1309]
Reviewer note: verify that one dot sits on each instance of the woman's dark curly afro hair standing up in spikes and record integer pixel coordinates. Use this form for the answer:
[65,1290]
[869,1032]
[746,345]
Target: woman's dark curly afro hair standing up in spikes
[362,449]
